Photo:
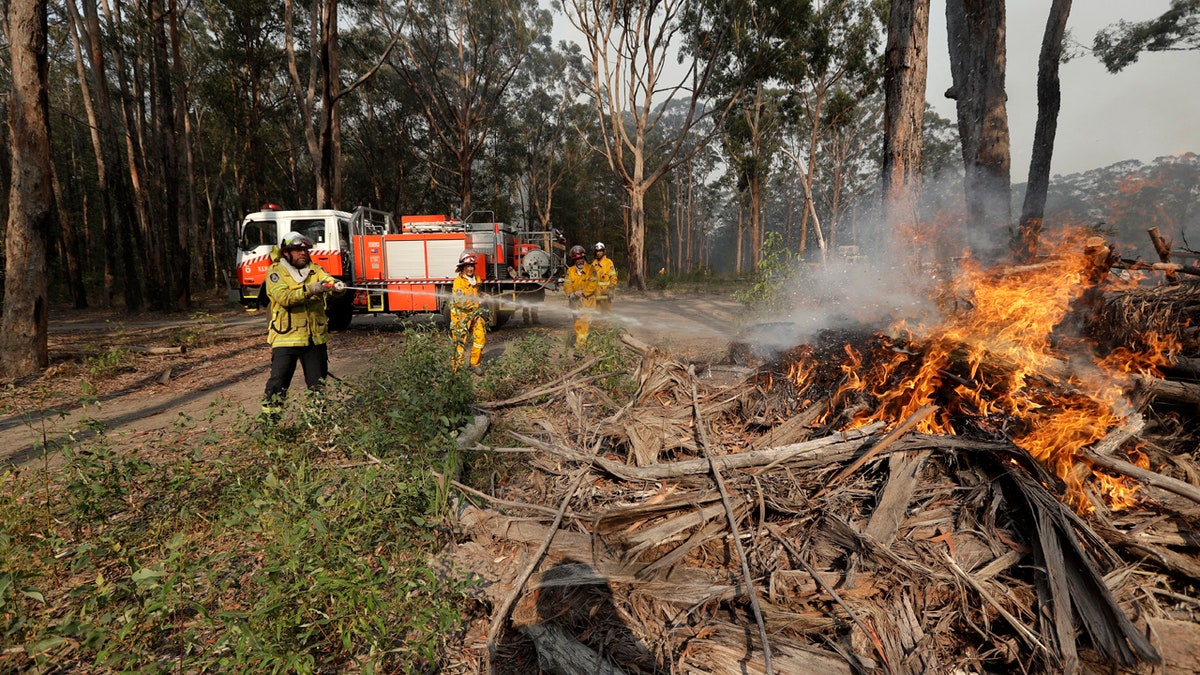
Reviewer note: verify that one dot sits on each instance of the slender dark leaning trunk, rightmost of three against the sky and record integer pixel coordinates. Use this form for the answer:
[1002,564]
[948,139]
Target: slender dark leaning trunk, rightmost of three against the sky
[1049,100]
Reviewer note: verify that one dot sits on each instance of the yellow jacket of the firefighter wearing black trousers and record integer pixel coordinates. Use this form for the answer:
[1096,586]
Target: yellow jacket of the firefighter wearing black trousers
[297,315]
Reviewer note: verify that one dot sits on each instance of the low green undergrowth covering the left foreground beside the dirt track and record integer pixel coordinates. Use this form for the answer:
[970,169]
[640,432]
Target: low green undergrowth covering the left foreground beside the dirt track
[299,548]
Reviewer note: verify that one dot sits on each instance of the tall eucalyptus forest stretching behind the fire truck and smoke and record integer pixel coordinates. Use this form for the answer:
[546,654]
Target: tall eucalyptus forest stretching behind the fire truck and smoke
[685,133]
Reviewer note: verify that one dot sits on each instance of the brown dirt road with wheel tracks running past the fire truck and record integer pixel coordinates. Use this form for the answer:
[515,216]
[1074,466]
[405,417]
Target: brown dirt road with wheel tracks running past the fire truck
[136,404]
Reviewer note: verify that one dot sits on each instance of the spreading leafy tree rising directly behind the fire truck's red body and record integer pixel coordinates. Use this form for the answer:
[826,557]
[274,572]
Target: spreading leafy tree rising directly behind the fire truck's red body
[460,58]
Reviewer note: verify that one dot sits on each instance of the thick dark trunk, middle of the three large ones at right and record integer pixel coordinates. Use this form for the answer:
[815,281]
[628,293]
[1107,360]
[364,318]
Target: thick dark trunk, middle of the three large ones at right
[976,35]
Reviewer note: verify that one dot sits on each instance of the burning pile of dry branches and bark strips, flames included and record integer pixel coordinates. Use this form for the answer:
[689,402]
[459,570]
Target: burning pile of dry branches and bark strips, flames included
[1013,489]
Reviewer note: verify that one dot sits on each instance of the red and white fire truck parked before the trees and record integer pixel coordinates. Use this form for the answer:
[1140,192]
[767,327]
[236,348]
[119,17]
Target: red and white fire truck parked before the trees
[405,268]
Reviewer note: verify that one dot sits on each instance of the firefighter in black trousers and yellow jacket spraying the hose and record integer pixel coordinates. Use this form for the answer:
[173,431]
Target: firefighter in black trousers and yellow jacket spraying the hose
[299,331]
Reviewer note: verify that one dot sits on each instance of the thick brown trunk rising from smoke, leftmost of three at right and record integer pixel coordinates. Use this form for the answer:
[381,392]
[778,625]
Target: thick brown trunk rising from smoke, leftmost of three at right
[905,70]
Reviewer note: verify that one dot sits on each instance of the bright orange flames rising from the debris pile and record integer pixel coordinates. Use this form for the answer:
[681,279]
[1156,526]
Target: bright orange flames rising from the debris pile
[1000,327]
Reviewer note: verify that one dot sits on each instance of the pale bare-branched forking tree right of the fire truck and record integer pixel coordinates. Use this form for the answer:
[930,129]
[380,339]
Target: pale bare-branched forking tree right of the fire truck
[627,47]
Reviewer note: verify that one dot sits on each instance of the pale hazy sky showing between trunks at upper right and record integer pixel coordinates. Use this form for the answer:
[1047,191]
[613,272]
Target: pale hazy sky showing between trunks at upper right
[1149,110]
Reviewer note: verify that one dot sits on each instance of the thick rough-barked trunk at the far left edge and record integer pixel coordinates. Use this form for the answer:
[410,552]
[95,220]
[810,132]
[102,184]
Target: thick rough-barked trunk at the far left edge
[23,325]
